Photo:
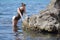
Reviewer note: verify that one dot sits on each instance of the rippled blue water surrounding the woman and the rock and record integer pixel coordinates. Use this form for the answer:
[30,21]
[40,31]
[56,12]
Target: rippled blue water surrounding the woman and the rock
[8,10]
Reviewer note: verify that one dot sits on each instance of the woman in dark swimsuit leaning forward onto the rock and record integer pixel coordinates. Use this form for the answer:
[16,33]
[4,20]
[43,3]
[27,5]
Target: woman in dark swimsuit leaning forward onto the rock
[20,12]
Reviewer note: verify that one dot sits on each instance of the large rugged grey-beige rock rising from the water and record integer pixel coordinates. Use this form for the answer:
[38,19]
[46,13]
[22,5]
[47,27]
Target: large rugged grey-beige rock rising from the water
[47,20]
